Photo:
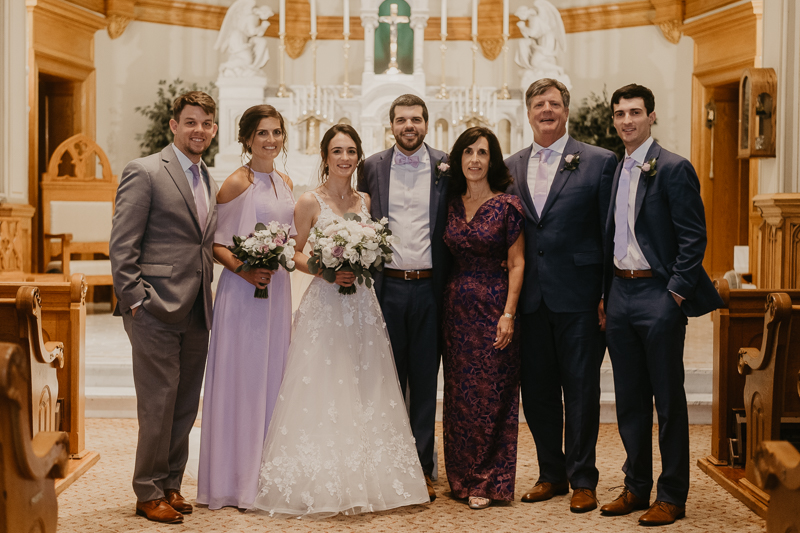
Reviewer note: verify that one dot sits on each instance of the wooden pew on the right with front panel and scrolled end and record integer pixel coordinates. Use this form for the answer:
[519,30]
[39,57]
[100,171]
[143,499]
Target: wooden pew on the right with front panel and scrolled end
[750,368]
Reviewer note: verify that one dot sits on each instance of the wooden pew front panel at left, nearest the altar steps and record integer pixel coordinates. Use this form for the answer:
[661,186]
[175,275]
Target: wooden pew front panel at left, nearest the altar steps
[63,318]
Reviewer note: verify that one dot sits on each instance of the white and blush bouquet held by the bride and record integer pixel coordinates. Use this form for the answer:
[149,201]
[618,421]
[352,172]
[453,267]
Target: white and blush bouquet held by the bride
[350,245]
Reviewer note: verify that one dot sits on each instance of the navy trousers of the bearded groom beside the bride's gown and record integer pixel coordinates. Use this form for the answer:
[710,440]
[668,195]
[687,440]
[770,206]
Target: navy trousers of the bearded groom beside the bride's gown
[409,309]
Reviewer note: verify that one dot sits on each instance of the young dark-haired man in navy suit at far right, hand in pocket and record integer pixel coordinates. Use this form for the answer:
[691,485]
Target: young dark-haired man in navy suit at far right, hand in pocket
[654,279]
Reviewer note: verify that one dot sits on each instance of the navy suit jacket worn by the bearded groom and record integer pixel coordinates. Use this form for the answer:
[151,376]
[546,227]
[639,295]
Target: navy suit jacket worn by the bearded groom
[375,181]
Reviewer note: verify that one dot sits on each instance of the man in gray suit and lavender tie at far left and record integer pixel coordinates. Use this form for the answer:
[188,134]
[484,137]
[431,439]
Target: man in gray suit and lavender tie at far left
[160,249]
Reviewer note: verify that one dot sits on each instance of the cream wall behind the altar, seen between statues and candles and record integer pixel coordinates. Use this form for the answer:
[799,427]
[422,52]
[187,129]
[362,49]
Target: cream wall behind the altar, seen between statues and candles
[129,68]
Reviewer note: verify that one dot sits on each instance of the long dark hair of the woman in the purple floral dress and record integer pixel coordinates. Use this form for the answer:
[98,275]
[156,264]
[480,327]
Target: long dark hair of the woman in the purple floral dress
[498,176]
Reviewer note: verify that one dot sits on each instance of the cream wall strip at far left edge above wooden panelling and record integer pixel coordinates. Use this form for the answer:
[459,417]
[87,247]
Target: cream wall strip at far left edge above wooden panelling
[13,103]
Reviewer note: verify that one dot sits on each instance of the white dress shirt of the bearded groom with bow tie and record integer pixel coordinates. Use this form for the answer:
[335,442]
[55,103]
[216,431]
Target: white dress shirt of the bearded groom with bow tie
[409,213]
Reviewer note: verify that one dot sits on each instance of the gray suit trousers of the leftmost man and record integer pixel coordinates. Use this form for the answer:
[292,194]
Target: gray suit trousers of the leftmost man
[168,365]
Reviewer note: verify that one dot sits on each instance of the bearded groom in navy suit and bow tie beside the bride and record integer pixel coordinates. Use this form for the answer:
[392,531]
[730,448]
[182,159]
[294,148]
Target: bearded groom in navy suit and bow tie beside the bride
[405,186]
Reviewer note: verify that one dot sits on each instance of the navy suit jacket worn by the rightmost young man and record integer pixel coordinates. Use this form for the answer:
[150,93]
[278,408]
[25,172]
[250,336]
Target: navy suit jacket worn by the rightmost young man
[670,227]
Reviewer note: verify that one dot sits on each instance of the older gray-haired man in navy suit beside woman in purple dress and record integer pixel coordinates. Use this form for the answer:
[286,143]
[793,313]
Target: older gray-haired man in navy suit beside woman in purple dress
[564,186]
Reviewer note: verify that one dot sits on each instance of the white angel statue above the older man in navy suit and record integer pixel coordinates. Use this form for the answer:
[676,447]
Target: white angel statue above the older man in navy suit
[543,37]
